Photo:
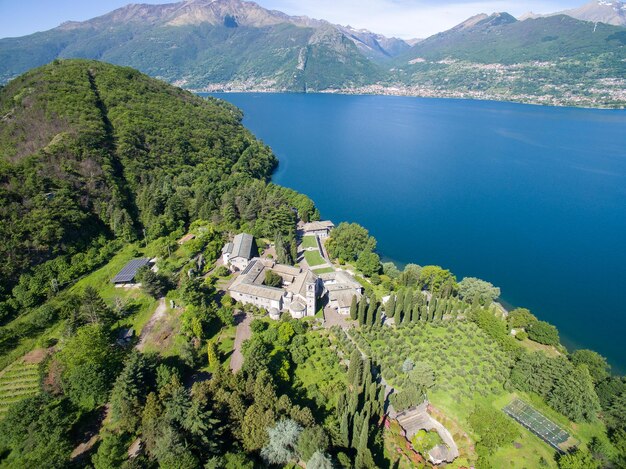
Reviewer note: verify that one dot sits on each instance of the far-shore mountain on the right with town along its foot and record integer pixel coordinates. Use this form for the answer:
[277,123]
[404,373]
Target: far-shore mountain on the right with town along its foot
[555,60]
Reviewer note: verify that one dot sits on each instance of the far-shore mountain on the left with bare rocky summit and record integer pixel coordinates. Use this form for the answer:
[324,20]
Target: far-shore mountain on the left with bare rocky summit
[196,43]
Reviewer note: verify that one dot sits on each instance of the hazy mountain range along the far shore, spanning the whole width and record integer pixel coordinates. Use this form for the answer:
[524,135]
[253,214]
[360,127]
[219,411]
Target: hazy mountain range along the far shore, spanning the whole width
[238,45]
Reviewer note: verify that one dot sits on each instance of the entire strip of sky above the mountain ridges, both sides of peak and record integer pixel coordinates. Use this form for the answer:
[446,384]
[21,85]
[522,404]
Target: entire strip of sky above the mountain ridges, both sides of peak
[399,18]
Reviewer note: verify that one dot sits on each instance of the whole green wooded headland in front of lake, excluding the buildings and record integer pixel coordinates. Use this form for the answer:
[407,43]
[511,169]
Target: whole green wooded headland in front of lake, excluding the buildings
[101,165]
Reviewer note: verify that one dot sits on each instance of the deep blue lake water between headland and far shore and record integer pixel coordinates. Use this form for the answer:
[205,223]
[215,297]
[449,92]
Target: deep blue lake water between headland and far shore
[532,199]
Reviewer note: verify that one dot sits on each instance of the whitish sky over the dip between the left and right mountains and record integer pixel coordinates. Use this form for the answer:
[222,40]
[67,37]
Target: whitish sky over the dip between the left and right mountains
[408,18]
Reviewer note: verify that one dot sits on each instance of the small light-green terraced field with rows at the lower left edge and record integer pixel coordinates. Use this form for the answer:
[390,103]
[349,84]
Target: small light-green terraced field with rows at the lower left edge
[18,381]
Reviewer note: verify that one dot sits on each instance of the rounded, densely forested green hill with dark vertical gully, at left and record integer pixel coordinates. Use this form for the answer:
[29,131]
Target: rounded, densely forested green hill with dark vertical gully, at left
[91,152]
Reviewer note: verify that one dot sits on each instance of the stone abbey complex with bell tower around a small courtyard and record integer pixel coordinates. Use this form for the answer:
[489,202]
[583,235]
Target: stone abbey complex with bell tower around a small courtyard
[298,294]
